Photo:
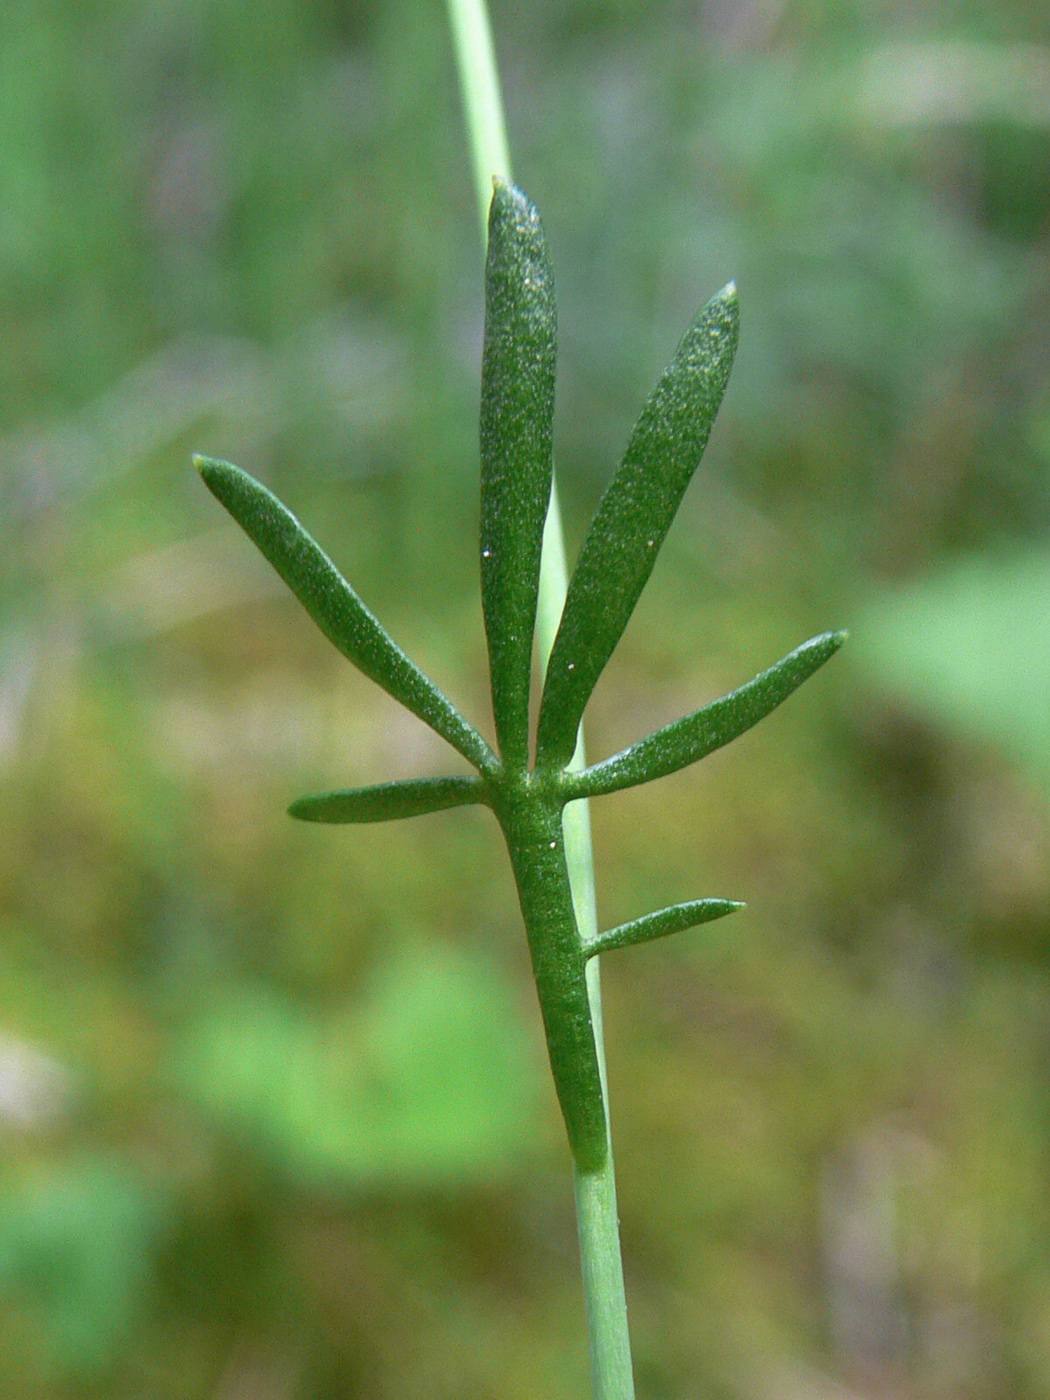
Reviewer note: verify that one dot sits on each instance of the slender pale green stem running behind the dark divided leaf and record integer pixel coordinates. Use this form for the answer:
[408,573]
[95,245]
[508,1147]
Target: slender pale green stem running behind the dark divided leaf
[596,1192]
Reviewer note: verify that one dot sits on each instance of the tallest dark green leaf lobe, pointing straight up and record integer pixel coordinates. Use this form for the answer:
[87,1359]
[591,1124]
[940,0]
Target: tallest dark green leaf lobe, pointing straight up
[517,416]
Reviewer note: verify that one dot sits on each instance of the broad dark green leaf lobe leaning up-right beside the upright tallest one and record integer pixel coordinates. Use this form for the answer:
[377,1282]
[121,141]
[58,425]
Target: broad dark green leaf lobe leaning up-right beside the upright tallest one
[633,519]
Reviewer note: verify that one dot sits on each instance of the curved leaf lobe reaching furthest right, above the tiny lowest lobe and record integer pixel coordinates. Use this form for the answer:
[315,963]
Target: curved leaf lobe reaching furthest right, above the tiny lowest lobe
[698,734]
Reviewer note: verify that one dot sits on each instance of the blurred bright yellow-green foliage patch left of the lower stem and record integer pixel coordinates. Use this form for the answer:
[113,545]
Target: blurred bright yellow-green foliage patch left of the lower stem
[421,1084]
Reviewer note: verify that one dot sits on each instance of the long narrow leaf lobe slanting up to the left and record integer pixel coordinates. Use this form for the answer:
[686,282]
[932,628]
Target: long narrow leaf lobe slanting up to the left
[335,607]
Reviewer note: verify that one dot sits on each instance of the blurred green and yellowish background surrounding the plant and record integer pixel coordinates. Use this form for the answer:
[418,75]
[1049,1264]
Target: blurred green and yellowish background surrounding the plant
[275,1121]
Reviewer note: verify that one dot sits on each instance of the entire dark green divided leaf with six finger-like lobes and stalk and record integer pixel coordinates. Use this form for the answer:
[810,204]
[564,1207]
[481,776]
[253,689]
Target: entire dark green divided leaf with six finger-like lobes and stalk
[615,562]
